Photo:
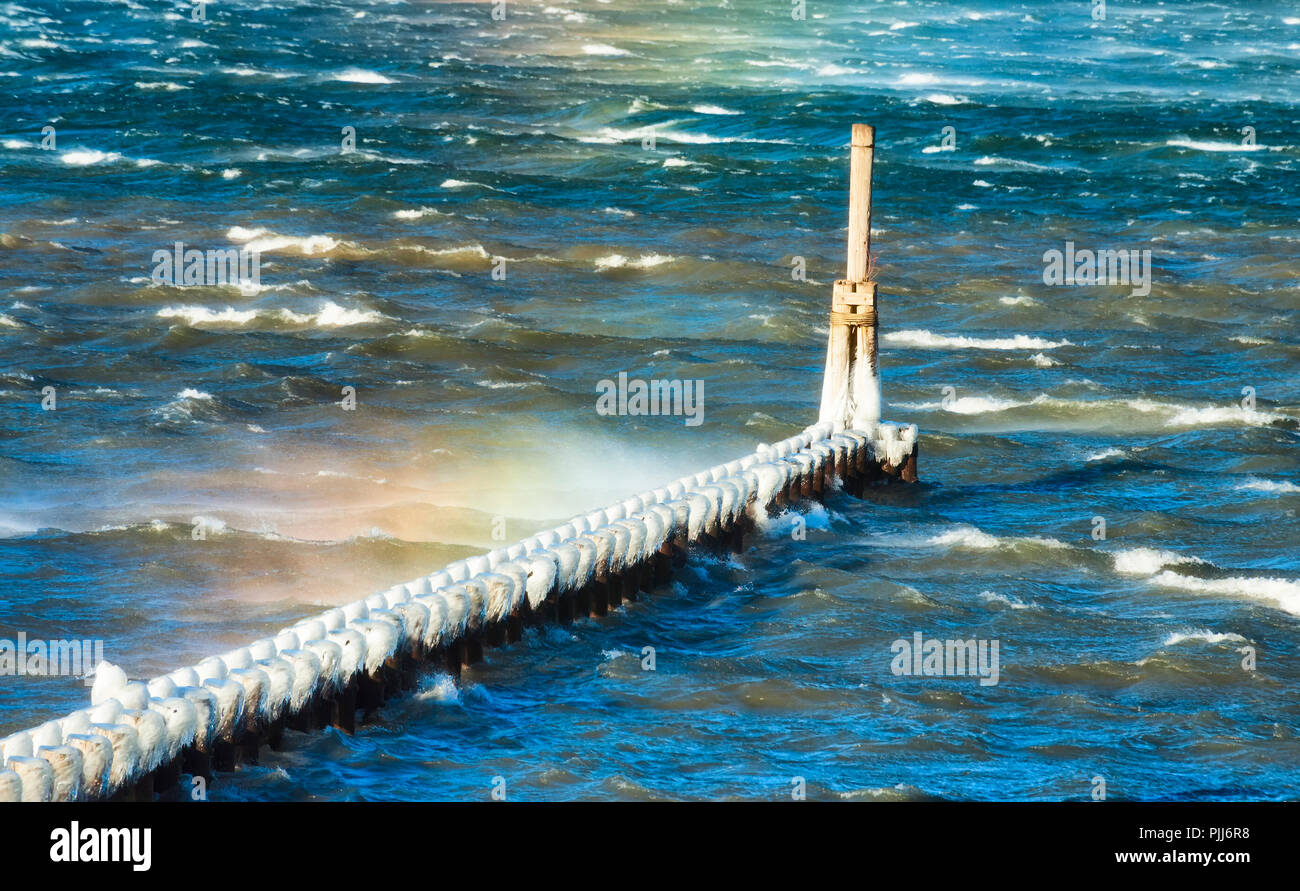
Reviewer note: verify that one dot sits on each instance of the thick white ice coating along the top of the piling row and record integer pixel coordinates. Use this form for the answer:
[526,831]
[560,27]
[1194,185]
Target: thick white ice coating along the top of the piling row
[135,726]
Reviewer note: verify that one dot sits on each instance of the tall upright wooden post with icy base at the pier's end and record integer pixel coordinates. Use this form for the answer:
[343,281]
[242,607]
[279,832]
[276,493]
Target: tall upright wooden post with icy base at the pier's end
[851,390]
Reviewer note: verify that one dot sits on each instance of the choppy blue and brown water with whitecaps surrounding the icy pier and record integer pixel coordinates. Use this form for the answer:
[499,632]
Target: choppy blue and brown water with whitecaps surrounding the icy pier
[527,140]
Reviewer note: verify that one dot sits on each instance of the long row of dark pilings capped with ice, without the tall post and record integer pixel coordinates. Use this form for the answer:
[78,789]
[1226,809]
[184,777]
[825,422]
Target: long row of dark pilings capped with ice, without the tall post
[67,760]
